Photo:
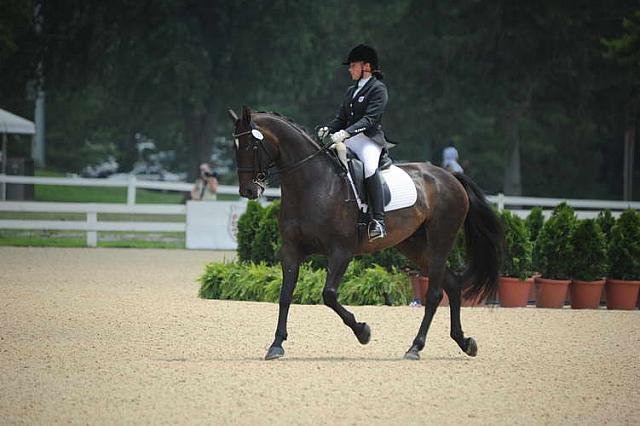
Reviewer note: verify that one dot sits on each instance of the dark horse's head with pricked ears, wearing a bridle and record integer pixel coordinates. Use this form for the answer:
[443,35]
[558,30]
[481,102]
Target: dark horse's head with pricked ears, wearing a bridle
[254,154]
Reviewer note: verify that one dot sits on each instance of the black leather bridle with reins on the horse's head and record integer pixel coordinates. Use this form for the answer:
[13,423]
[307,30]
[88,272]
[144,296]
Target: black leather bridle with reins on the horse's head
[260,165]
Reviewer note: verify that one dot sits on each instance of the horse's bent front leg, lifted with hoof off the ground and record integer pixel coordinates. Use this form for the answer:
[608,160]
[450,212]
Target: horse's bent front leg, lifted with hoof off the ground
[338,263]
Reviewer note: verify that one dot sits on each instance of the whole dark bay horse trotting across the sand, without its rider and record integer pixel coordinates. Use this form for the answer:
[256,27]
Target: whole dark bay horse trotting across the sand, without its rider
[316,219]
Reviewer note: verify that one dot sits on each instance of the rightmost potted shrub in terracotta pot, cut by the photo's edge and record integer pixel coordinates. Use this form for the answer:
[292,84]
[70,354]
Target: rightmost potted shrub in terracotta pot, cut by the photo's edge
[623,279]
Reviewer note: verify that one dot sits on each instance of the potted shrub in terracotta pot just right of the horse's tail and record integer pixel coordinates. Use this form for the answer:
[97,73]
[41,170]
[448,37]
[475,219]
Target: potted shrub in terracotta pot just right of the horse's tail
[515,282]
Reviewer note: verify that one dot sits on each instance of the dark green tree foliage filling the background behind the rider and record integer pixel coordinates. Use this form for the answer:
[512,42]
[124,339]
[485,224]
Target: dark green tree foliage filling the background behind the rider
[531,93]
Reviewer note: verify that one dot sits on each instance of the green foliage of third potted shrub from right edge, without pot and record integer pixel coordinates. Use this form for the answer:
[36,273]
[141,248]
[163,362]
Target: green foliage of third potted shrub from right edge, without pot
[553,249]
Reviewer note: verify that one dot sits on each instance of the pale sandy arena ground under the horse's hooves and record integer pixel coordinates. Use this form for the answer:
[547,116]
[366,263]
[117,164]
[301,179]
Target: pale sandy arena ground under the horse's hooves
[119,336]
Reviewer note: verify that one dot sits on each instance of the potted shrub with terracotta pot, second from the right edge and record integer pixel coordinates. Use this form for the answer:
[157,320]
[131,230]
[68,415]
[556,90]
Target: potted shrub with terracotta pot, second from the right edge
[588,265]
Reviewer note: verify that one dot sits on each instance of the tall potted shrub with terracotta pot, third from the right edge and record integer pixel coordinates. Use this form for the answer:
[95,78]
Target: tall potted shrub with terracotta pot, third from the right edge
[552,256]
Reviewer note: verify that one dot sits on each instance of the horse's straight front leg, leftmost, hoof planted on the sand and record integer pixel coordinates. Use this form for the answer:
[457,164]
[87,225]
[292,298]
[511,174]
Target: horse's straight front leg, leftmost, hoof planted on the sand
[290,269]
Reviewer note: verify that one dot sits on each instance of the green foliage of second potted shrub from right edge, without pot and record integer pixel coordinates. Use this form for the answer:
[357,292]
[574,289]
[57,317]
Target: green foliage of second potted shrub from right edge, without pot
[589,258]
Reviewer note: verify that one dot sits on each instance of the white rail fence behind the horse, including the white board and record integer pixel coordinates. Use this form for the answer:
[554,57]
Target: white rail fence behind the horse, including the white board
[208,224]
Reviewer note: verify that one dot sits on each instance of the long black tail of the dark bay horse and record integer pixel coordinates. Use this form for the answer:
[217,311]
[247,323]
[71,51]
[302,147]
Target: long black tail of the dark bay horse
[483,242]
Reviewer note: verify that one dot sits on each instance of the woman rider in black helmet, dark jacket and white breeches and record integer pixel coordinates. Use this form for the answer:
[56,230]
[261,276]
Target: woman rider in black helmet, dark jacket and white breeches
[359,125]
